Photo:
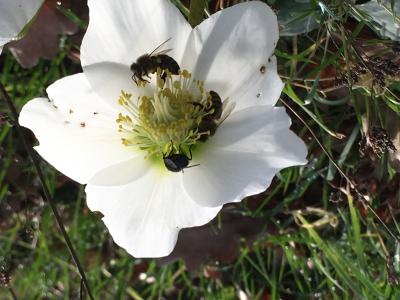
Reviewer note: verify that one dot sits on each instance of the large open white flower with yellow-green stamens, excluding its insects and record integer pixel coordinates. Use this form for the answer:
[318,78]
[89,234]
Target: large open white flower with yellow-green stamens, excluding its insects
[145,205]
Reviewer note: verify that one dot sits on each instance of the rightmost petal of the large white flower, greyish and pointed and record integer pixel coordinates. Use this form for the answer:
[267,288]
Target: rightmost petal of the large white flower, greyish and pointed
[243,156]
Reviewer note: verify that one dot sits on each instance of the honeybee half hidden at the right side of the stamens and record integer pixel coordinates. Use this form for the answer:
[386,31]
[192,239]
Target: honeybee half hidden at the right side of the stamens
[220,111]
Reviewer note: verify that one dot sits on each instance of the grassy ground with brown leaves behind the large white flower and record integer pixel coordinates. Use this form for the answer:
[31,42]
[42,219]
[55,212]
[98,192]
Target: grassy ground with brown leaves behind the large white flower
[327,230]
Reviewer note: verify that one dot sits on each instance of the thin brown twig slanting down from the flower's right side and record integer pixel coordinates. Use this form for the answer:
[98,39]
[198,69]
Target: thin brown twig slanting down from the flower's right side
[344,175]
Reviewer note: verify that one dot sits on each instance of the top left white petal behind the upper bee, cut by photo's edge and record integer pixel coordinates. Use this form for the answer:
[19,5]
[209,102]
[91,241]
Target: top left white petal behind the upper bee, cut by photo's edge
[122,30]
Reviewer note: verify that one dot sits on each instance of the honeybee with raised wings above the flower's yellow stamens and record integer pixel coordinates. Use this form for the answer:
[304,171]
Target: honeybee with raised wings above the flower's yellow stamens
[148,64]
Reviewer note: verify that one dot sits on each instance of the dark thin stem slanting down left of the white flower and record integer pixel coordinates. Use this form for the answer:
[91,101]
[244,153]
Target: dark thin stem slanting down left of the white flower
[36,163]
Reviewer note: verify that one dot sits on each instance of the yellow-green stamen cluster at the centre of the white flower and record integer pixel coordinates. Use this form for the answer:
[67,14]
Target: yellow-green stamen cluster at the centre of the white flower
[168,116]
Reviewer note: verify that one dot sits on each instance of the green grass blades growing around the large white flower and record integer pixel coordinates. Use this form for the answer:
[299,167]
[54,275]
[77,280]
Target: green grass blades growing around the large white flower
[339,250]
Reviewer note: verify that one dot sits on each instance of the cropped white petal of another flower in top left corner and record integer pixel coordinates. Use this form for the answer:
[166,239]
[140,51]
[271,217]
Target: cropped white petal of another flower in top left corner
[14,15]
